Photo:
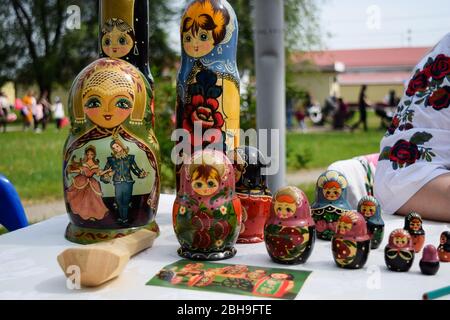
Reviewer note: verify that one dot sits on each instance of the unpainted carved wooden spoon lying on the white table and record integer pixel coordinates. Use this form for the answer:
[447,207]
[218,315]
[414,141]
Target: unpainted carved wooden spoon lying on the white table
[104,261]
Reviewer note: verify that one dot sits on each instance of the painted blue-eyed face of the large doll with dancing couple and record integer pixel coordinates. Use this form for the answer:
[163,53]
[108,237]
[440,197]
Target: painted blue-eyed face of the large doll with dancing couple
[108,110]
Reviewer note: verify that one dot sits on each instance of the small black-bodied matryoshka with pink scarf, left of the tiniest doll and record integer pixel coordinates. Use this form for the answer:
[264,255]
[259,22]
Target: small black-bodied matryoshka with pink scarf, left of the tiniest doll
[399,252]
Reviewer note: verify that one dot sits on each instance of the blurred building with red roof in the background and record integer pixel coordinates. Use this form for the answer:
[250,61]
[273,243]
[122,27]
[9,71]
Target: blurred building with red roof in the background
[342,72]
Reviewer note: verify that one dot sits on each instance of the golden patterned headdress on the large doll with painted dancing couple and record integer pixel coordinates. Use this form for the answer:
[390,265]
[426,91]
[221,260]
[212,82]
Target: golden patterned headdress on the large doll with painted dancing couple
[108,76]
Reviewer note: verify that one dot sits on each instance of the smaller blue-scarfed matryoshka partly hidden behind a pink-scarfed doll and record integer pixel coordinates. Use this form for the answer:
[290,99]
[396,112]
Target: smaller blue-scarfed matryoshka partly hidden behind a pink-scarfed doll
[369,207]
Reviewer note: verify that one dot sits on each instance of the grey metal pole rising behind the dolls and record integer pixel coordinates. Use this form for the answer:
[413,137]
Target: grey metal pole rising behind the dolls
[271,82]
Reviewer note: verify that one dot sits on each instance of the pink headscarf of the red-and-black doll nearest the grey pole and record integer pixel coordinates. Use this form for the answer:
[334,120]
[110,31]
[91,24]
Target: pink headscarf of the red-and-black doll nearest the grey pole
[301,217]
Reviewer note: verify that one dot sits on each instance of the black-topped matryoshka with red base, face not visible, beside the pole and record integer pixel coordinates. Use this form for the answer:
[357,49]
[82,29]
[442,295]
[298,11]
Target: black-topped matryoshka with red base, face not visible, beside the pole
[253,192]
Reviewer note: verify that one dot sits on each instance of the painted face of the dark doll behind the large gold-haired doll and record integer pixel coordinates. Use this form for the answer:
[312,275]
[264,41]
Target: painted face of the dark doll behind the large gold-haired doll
[117,44]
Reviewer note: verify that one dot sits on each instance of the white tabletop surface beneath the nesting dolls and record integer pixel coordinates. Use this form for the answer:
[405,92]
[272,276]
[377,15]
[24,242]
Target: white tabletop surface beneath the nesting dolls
[28,268]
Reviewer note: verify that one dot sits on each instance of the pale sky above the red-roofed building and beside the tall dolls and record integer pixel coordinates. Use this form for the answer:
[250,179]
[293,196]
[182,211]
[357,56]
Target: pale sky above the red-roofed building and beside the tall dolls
[375,23]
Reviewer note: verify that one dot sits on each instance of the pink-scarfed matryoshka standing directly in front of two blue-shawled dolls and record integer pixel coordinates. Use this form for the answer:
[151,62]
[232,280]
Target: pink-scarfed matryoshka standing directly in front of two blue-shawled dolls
[351,242]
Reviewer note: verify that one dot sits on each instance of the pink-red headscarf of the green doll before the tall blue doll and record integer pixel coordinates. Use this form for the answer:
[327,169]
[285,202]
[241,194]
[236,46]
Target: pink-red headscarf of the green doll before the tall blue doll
[209,161]
